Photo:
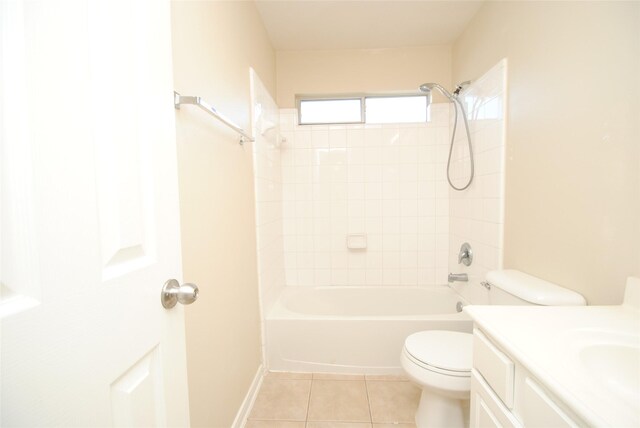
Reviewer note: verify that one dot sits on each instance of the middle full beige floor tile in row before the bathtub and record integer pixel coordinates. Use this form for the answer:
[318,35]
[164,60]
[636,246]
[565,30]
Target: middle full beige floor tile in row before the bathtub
[336,400]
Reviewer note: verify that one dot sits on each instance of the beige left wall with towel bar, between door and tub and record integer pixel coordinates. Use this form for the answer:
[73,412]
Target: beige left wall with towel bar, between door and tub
[214,44]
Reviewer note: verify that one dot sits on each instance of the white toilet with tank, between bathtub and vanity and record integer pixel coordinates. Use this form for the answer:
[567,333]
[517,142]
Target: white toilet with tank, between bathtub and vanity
[439,361]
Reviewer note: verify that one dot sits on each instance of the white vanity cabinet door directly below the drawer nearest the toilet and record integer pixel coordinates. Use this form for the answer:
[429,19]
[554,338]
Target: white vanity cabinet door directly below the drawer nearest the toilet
[487,410]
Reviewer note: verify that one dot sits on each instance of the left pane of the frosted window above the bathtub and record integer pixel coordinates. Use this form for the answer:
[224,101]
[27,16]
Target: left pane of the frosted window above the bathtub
[331,111]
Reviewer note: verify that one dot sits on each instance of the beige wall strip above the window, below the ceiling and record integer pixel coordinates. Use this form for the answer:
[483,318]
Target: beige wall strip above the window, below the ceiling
[360,71]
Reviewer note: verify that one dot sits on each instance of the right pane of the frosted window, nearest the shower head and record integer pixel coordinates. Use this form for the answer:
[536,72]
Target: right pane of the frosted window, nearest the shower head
[407,109]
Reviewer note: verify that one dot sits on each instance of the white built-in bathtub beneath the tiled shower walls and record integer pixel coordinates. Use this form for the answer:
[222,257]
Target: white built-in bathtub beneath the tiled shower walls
[358,330]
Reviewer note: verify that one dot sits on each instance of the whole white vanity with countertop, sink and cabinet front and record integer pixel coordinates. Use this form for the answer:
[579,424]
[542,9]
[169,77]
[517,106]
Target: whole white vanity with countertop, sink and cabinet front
[556,366]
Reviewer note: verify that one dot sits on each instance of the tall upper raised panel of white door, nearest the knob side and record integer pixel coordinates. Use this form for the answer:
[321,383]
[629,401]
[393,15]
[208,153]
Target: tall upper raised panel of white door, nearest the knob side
[121,84]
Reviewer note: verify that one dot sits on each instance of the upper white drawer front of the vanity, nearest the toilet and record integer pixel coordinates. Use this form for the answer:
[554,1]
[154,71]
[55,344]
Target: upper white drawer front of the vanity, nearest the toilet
[496,368]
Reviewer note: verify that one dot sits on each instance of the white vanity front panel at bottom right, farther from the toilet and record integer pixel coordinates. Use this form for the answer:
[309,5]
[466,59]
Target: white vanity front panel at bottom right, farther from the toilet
[539,410]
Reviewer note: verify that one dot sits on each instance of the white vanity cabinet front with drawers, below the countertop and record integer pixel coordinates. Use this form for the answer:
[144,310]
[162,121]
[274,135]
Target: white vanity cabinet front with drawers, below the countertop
[504,394]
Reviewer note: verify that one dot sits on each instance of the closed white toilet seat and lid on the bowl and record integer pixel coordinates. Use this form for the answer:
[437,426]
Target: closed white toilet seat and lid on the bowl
[445,352]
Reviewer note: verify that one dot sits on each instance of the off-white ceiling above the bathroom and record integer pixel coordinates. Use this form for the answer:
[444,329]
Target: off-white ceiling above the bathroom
[359,24]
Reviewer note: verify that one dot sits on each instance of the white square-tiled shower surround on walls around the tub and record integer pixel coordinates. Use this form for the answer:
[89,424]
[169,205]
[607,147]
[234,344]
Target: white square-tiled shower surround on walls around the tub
[388,182]
